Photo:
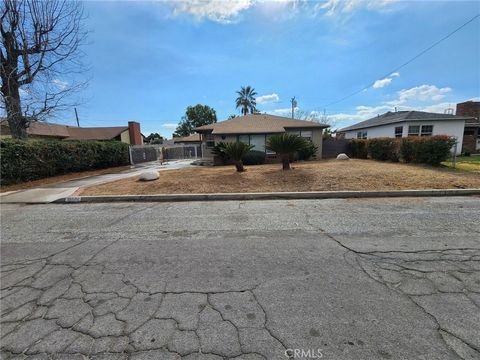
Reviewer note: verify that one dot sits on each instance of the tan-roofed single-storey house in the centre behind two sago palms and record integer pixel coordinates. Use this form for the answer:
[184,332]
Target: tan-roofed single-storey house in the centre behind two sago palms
[255,129]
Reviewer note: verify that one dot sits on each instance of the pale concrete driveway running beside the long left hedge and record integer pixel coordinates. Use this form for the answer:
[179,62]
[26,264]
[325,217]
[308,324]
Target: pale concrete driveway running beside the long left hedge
[53,192]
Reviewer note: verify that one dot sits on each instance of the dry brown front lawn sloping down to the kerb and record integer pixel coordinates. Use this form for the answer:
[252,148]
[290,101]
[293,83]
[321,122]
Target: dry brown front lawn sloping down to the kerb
[308,176]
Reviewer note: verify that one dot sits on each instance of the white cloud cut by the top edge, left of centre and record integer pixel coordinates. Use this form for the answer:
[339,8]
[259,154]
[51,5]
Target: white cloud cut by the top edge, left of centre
[215,10]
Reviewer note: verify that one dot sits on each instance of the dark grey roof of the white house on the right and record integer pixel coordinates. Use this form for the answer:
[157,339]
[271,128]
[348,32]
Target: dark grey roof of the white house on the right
[400,116]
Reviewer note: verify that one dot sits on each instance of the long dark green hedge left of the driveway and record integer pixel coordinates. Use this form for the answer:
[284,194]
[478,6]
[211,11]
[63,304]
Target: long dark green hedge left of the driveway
[26,160]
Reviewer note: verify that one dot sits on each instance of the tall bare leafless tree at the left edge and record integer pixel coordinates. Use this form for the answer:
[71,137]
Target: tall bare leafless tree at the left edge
[41,59]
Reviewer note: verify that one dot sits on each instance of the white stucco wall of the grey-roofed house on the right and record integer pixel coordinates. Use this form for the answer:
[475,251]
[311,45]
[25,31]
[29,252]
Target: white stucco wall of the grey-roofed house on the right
[450,128]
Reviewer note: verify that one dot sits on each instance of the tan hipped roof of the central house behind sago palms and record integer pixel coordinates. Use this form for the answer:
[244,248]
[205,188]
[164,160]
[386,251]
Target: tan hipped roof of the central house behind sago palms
[258,124]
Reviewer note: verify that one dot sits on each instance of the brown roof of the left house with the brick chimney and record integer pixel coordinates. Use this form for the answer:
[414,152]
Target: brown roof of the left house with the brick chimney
[38,128]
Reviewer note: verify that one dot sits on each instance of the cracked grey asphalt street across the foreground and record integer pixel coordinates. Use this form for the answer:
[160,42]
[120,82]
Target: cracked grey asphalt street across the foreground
[330,279]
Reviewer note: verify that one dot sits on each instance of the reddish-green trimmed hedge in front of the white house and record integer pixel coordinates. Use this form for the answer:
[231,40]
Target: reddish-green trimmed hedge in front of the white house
[430,150]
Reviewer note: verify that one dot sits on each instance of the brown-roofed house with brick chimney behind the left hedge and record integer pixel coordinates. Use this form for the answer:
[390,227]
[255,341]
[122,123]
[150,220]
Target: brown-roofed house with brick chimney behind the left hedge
[42,130]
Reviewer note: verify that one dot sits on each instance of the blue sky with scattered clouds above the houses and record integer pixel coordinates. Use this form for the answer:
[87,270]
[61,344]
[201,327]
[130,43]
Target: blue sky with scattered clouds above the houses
[150,60]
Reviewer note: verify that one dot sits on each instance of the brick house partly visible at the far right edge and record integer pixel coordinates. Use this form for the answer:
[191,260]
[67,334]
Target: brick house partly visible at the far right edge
[471,134]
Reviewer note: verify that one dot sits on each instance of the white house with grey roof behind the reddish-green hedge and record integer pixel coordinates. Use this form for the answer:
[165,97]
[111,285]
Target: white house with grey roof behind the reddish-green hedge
[409,123]
